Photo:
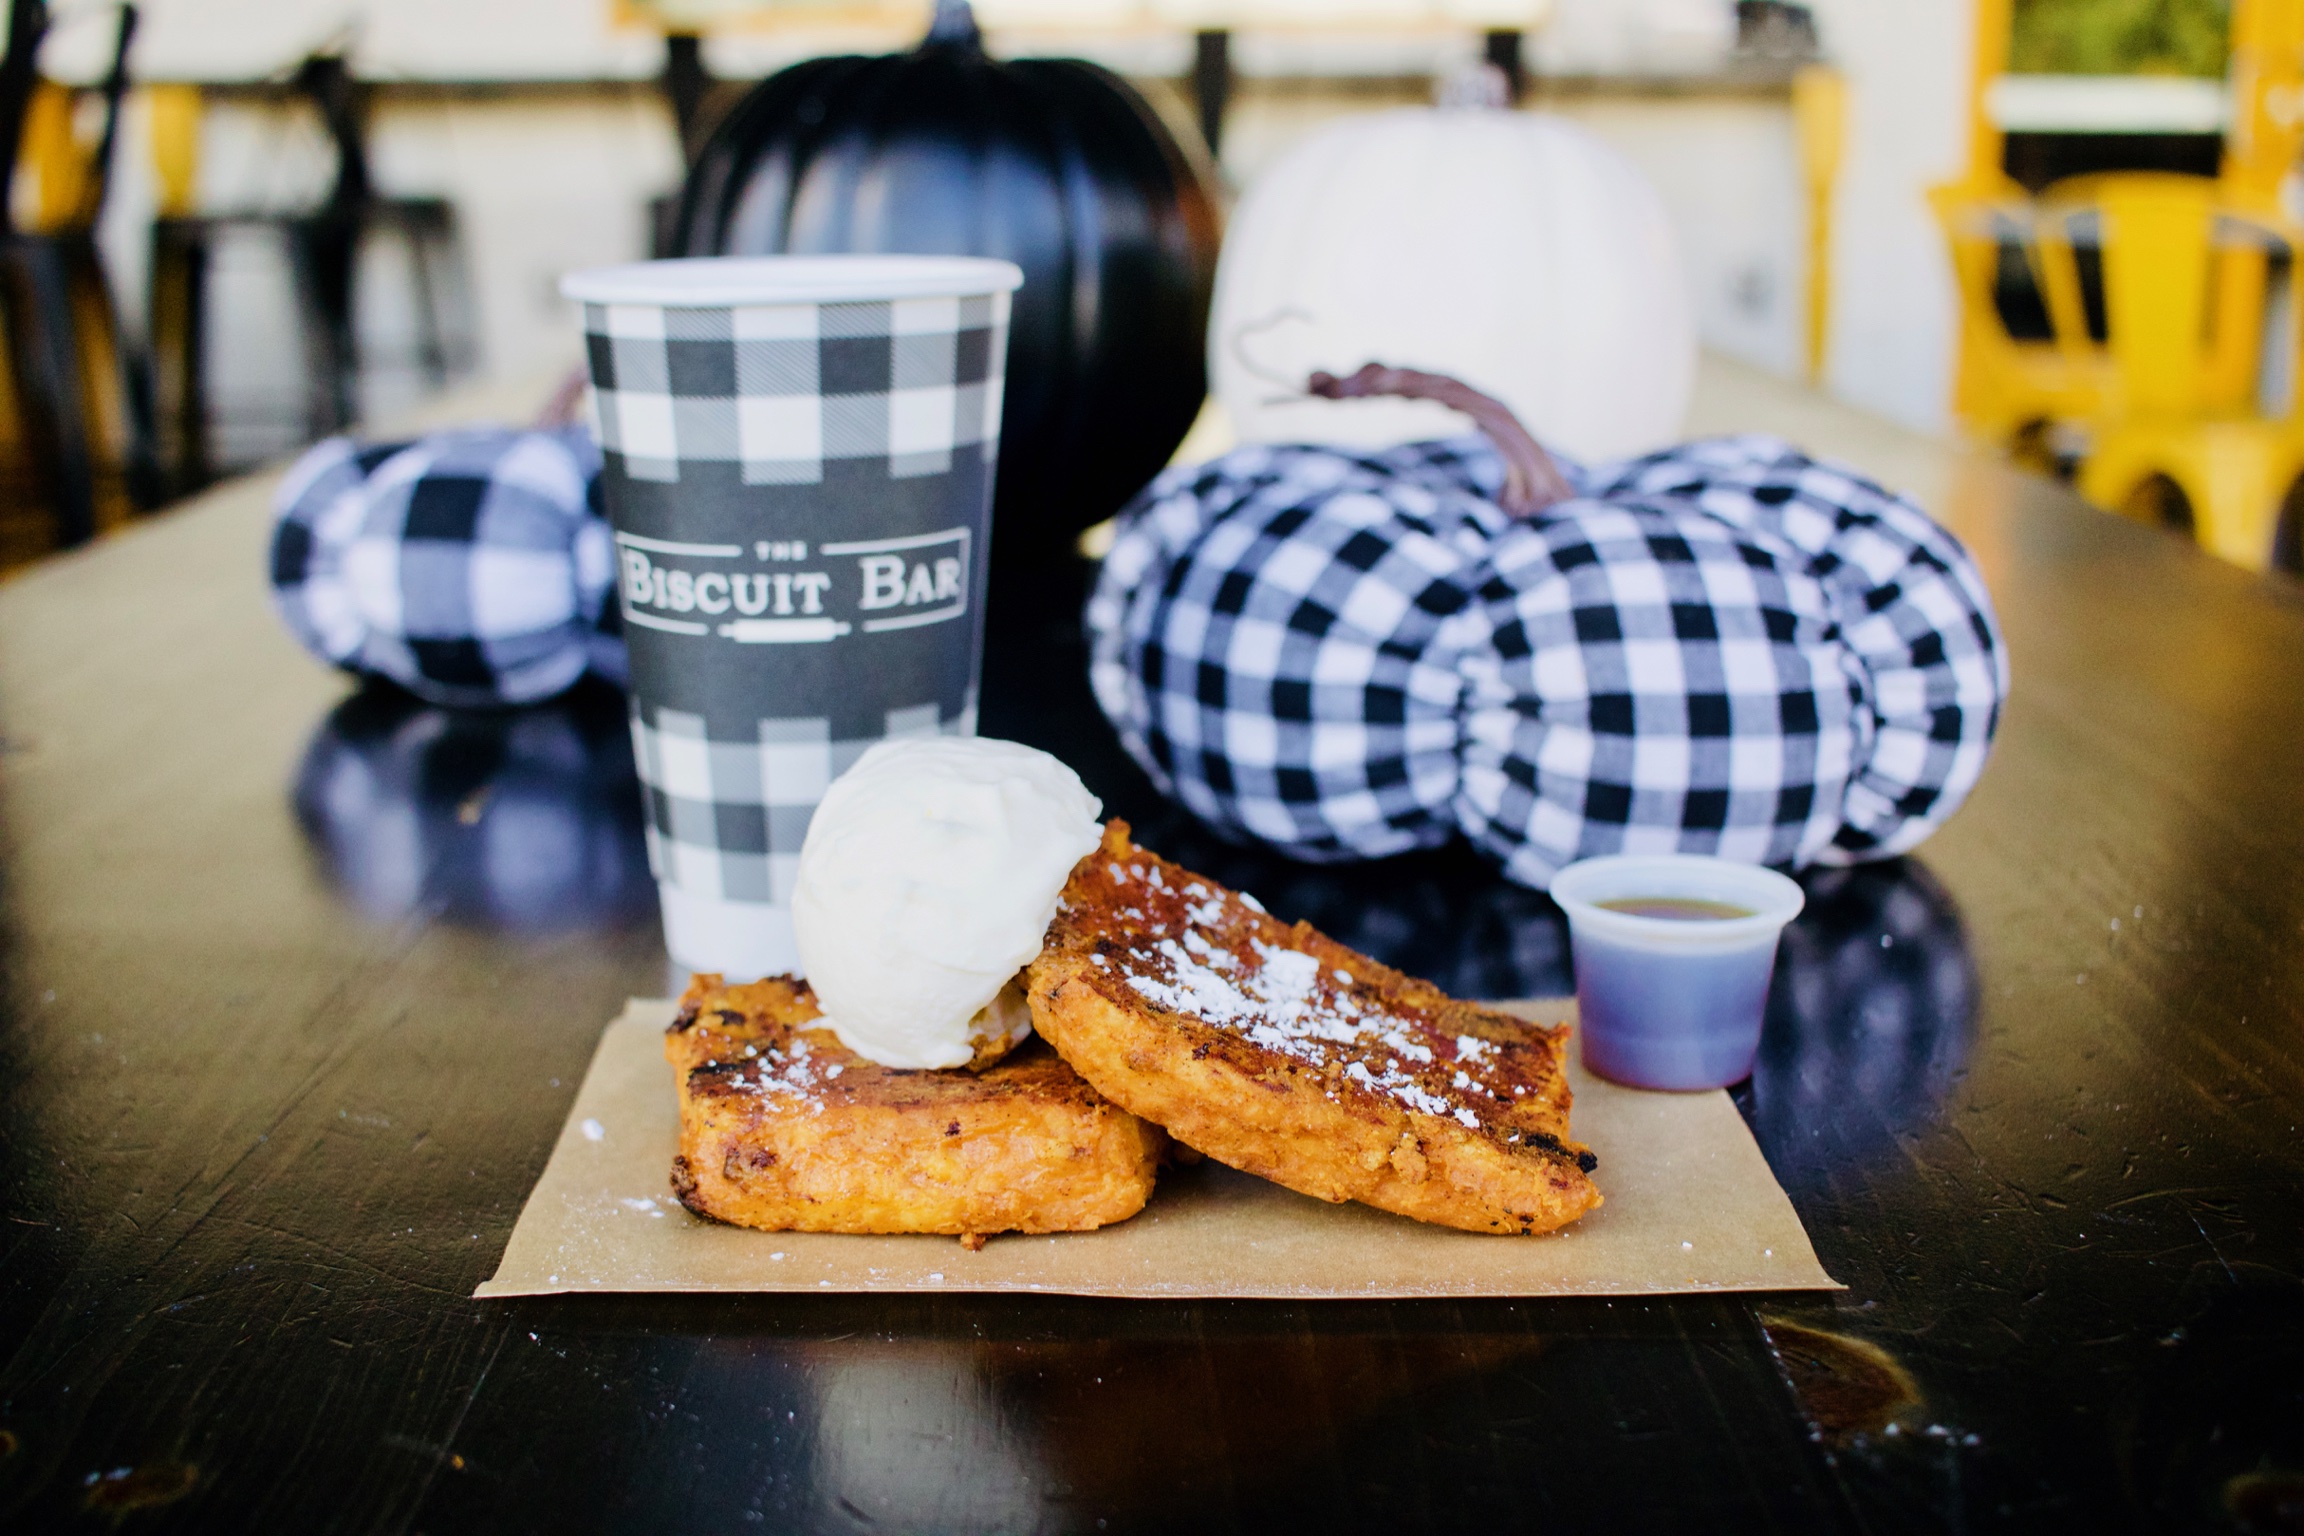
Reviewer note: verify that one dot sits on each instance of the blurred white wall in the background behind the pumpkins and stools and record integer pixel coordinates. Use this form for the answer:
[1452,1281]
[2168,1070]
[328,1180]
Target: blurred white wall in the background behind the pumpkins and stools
[552,183]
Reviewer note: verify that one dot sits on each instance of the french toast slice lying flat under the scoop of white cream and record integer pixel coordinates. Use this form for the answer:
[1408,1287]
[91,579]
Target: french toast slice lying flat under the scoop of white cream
[789,1132]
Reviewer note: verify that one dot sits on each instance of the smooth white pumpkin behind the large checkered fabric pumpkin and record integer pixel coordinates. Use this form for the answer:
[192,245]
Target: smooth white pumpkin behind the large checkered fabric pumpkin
[1508,250]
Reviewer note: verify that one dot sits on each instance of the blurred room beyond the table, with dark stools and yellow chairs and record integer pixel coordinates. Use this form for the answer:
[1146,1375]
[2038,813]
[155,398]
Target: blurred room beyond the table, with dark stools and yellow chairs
[2056,227]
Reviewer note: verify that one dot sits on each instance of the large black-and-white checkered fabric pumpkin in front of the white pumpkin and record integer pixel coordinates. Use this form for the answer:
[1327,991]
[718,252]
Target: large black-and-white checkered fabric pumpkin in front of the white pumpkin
[1722,648]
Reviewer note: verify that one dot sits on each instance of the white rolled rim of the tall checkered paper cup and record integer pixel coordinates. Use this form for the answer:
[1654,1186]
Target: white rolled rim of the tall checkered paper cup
[725,282]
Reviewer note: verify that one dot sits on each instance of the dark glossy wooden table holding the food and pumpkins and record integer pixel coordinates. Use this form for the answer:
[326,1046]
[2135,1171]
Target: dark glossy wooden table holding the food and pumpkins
[298,994]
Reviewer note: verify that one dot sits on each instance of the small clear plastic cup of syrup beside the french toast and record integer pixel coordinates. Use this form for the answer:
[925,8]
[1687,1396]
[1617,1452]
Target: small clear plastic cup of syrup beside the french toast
[1674,1003]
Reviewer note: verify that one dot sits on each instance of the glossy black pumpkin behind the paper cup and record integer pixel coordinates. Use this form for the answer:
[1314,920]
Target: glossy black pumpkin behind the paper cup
[1054,165]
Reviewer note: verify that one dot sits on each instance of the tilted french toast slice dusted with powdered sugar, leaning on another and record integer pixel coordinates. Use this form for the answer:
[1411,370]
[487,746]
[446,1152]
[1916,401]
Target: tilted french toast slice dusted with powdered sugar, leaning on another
[1282,1054]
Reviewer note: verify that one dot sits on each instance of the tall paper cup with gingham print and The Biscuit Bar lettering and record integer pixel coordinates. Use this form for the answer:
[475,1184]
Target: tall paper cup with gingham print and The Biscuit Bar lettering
[801,473]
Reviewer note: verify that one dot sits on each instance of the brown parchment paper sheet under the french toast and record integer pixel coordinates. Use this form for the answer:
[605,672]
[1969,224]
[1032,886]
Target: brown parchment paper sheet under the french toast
[1690,1208]
